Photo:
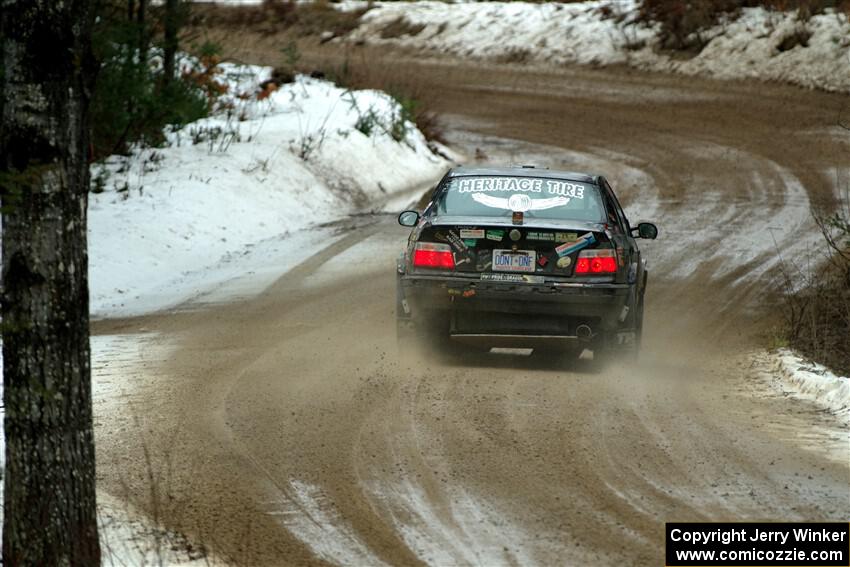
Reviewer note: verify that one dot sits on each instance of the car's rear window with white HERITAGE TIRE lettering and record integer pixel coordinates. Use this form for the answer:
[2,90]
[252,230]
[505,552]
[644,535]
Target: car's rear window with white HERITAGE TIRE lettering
[535,197]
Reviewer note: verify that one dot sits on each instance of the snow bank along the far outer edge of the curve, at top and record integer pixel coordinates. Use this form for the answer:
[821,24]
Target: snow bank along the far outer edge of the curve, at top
[581,33]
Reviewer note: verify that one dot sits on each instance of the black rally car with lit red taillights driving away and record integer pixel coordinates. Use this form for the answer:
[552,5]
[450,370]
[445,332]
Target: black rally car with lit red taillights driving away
[525,258]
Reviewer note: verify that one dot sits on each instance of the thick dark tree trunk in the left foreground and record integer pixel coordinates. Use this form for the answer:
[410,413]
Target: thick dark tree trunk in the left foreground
[49,500]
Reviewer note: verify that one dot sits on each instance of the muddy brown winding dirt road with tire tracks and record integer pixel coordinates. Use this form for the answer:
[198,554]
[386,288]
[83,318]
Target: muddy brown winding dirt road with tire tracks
[285,430]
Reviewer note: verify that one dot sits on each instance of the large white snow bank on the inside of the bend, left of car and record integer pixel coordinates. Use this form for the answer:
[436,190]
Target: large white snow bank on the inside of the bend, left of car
[266,167]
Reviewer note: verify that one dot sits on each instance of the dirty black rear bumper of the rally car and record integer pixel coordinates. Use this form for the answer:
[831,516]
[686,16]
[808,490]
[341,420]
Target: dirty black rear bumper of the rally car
[546,311]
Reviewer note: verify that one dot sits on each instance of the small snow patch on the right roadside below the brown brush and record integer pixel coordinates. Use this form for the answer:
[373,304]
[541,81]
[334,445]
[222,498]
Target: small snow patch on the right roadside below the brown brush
[790,373]
